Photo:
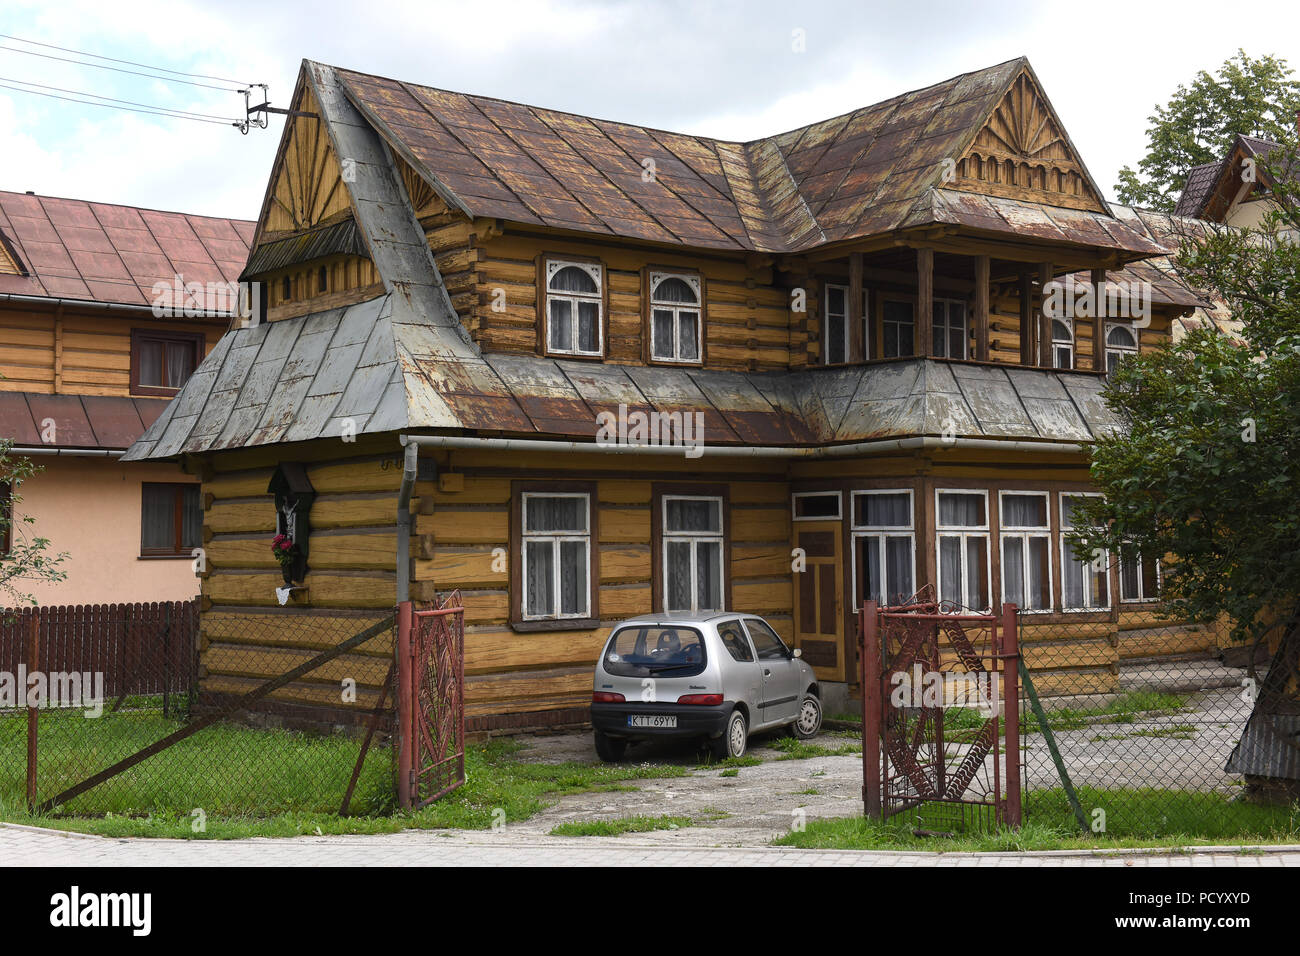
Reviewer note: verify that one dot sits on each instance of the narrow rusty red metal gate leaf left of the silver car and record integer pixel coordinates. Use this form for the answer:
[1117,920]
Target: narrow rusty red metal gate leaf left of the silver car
[431,652]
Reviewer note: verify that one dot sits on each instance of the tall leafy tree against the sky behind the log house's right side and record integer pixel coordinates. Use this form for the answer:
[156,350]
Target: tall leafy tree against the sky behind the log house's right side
[1256,98]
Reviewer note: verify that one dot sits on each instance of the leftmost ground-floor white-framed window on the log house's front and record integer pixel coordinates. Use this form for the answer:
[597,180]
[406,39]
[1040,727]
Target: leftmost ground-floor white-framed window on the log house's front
[557,556]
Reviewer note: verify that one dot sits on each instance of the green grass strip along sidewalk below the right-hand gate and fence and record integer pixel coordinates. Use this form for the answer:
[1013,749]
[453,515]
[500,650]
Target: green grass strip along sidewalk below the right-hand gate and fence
[1133,819]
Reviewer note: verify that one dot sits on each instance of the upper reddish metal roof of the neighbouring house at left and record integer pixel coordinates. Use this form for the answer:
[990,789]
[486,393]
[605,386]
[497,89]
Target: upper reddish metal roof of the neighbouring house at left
[101,253]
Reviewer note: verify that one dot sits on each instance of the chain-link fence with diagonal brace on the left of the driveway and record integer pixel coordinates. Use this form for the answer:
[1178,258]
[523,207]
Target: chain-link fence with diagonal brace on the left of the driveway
[248,713]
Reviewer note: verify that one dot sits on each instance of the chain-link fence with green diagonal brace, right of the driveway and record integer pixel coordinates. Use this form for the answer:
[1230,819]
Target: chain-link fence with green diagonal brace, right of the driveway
[1142,717]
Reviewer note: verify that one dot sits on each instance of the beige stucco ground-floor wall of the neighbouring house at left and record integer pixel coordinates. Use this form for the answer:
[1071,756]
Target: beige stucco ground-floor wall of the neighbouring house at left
[92,509]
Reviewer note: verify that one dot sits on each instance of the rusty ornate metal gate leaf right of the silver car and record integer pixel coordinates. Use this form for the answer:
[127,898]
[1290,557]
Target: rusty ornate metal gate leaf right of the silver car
[941,691]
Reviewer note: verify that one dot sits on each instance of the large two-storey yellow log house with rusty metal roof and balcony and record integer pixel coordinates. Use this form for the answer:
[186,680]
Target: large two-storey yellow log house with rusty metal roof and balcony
[855,312]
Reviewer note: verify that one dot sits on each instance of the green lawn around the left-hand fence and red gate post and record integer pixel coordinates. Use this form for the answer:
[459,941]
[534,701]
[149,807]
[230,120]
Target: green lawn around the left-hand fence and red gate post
[254,782]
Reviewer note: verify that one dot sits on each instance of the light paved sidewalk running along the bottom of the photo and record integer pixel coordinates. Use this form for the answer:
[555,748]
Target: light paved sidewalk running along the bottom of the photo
[24,846]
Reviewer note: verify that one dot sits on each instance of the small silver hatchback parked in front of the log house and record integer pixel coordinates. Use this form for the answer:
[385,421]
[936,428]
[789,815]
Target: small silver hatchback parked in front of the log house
[720,677]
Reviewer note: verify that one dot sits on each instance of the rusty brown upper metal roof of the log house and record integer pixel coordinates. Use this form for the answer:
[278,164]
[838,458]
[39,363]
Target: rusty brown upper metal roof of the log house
[863,174]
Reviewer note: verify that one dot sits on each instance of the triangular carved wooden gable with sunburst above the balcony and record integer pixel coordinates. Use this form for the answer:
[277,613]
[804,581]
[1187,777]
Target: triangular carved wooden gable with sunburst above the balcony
[1022,153]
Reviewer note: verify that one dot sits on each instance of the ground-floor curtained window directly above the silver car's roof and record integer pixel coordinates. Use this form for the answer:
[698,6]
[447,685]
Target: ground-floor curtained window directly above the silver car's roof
[692,553]
